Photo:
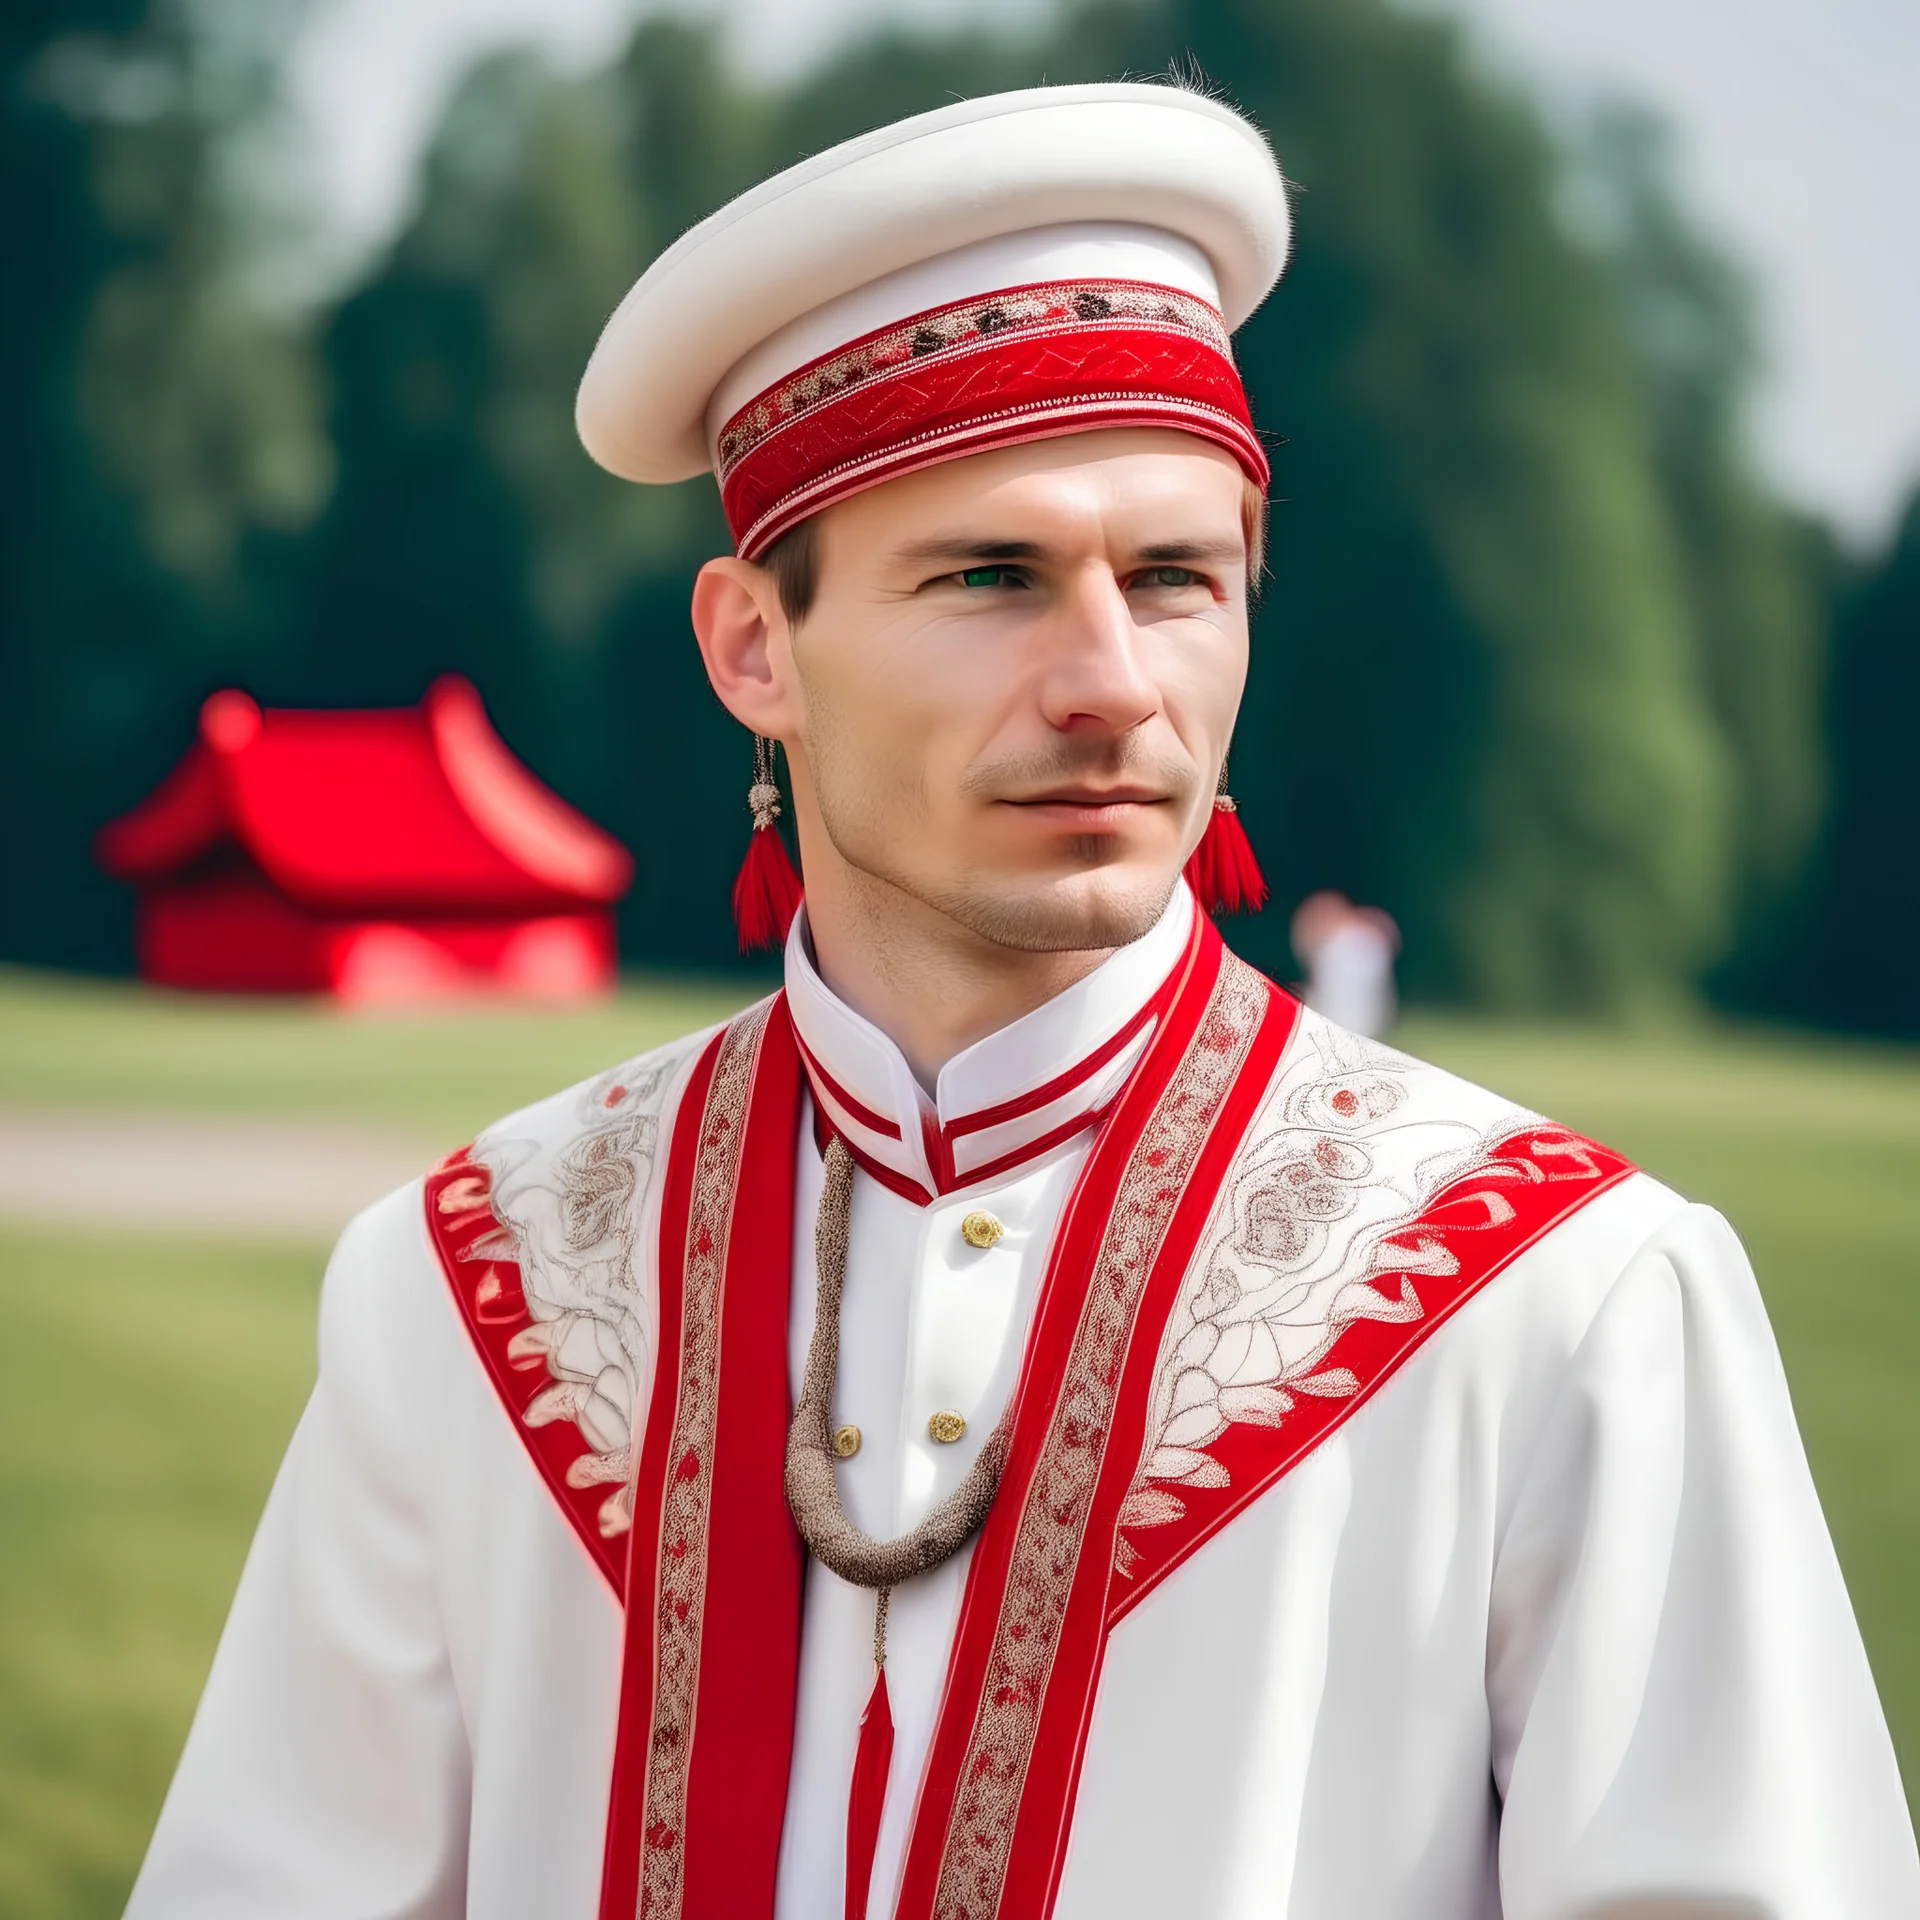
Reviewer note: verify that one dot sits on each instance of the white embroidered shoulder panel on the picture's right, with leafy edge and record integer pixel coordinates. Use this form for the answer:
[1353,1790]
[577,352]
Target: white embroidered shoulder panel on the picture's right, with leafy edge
[1349,1147]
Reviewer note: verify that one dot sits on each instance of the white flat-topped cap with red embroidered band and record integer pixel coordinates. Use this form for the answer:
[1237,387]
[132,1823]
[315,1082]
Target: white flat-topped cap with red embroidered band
[1082,201]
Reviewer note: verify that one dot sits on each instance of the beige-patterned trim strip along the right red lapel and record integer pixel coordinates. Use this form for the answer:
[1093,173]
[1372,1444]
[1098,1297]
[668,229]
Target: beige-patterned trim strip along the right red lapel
[980,1833]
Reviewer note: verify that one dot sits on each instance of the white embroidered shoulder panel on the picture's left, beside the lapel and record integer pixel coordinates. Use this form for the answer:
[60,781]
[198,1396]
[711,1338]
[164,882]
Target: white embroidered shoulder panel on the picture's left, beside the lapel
[577,1191]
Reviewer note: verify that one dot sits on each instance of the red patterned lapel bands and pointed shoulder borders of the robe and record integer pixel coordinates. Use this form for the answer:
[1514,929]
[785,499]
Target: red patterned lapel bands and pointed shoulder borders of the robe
[713,1572]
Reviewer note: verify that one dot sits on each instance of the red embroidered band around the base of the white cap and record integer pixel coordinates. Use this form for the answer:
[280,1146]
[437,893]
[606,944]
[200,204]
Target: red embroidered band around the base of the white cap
[1022,364]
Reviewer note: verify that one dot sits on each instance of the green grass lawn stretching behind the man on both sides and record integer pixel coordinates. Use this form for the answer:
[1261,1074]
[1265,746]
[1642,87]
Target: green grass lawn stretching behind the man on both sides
[147,1385]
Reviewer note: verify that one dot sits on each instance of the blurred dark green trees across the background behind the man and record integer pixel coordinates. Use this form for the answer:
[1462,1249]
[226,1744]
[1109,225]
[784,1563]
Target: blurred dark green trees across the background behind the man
[1541,667]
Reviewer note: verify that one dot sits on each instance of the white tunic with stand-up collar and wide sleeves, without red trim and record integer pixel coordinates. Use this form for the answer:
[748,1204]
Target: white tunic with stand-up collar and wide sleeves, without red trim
[1548,1629]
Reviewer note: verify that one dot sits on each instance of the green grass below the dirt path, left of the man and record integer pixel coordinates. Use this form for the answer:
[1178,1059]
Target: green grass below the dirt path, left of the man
[147,1391]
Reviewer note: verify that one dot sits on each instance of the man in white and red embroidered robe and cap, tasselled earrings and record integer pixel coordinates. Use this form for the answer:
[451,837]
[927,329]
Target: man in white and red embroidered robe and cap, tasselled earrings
[1028,1420]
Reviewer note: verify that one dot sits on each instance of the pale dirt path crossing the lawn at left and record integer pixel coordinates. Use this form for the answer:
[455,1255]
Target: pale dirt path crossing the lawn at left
[283,1178]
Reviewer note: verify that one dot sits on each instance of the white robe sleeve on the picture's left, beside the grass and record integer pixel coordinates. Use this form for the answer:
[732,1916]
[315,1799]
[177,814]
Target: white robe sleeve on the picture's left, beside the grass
[327,1771]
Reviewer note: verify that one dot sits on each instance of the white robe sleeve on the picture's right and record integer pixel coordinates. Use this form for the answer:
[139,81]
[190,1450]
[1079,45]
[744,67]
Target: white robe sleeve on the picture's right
[1685,1723]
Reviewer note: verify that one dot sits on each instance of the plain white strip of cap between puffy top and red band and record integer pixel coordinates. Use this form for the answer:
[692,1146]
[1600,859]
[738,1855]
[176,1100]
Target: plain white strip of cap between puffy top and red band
[1082,251]
